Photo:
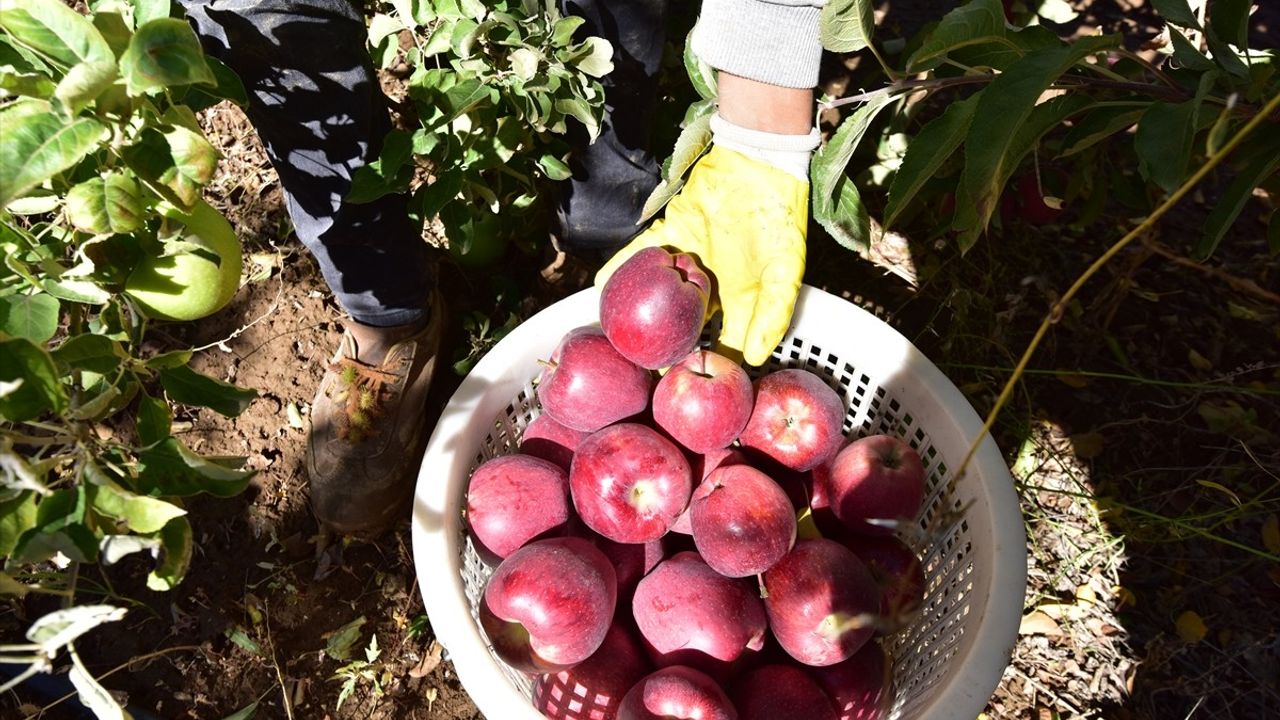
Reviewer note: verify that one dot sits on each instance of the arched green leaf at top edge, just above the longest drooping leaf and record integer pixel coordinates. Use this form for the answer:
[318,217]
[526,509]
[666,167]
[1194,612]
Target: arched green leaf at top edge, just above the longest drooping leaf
[980,25]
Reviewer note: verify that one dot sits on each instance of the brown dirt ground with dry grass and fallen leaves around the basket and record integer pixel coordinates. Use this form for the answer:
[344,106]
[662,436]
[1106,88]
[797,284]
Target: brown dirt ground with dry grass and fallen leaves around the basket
[1146,444]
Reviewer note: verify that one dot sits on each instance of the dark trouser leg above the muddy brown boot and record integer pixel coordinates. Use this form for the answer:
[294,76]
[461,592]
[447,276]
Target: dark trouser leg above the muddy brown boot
[317,104]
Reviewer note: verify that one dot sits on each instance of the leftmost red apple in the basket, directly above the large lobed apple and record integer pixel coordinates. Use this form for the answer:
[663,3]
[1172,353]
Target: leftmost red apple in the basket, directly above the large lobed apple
[515,499]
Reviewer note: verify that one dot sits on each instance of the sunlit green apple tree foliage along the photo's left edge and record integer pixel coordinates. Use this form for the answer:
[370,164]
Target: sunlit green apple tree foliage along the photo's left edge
[98,131]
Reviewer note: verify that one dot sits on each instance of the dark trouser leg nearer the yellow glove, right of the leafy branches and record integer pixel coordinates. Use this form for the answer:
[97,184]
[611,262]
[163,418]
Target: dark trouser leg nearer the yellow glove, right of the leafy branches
[600,207]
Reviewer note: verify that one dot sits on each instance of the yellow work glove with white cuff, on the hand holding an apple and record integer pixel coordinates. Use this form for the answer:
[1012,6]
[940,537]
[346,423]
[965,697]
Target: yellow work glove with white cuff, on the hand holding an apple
[744,215]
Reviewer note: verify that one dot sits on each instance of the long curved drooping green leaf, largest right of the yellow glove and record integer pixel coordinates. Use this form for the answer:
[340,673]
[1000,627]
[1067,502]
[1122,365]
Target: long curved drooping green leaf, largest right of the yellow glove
[991,153]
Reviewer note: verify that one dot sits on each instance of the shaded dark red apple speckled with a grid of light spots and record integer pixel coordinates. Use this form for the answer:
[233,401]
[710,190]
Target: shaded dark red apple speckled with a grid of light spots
[595,689]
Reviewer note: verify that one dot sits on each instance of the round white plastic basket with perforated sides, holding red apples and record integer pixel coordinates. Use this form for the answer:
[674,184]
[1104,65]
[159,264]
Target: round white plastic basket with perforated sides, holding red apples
[945,666]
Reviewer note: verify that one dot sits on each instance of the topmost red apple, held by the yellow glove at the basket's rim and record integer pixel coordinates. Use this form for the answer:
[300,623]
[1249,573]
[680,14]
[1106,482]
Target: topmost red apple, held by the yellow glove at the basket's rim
[655,306]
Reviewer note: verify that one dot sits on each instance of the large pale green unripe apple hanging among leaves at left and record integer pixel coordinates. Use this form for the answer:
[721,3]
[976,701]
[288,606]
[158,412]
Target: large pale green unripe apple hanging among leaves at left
[191,285]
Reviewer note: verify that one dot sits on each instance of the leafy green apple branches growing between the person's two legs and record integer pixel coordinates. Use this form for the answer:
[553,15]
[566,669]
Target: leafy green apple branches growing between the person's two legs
[496,86]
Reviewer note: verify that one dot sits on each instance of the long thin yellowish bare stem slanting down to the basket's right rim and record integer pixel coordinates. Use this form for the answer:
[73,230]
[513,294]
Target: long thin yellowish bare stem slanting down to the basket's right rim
[1142,229]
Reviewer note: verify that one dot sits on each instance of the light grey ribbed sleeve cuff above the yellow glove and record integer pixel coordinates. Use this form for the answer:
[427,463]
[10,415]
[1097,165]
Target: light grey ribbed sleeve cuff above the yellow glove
[769,43]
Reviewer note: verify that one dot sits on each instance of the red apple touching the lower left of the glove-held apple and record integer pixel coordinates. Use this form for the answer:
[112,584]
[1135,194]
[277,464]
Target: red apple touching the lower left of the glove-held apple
[588,385]
